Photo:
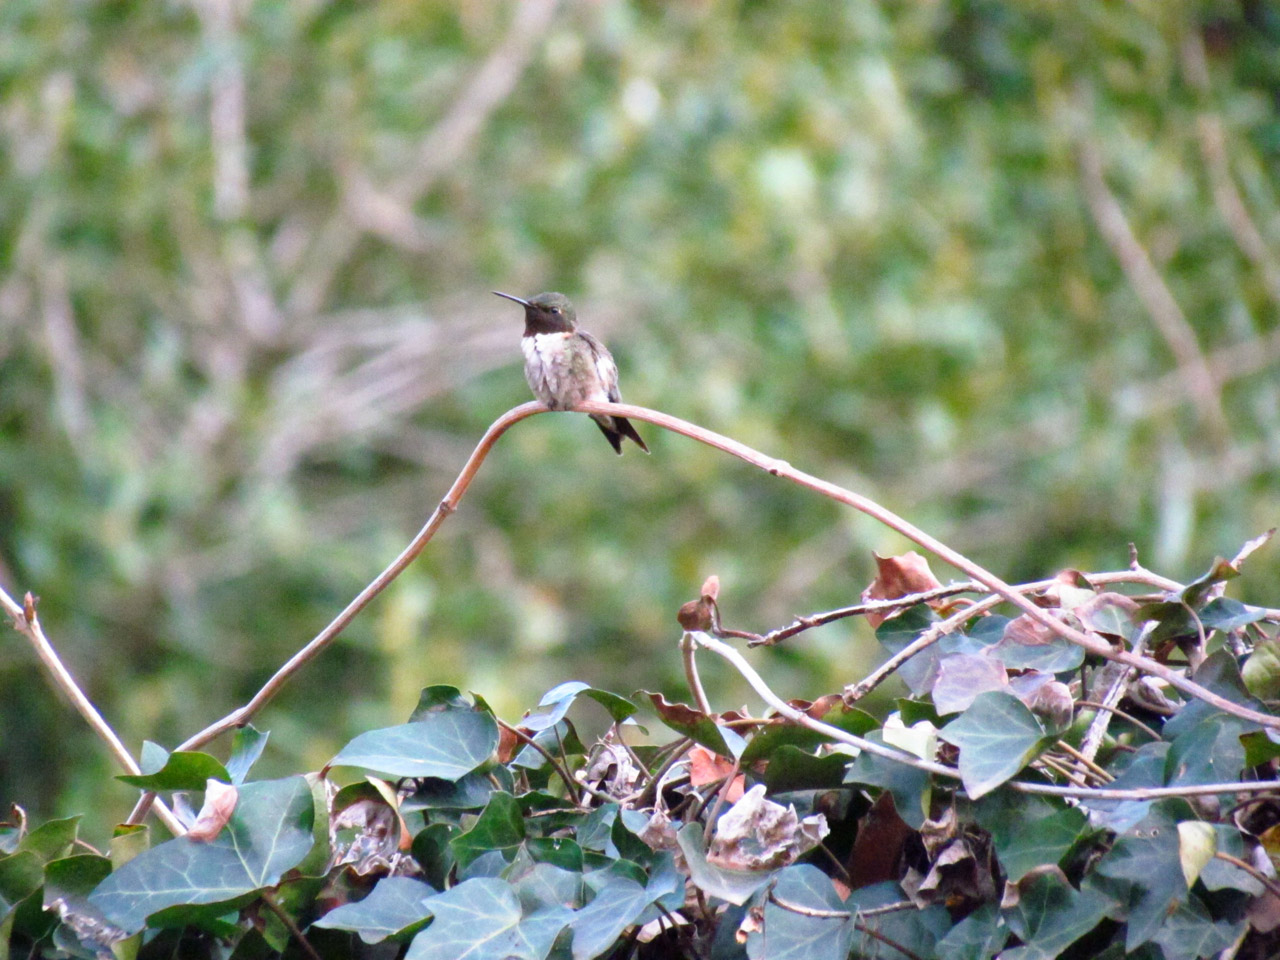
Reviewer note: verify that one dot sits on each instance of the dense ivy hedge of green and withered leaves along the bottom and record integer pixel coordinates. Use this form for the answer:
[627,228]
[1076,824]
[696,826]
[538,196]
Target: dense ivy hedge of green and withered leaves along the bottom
[996,812]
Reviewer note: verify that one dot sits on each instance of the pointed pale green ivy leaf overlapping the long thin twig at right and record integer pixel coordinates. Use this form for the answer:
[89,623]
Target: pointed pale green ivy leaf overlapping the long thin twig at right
[998,737]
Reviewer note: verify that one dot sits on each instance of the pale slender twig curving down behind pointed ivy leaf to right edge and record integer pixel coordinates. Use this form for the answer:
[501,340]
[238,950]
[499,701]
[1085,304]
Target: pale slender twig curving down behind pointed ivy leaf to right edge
[804,720]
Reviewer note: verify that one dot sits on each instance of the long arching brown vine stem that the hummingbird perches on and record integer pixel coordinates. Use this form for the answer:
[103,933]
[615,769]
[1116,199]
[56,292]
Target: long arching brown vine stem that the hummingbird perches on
[771,465]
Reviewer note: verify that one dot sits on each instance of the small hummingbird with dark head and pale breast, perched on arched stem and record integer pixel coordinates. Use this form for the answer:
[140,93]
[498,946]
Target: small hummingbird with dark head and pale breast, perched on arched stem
[566,365]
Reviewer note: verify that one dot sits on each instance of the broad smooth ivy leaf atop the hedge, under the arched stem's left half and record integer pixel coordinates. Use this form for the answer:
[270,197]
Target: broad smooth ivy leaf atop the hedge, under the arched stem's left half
[447,744]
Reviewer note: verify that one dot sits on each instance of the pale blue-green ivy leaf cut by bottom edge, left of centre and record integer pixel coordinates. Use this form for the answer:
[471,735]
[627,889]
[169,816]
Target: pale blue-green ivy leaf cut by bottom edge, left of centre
[482,920]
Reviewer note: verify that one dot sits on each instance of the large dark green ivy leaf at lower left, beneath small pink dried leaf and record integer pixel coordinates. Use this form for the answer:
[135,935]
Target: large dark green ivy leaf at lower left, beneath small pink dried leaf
[268,834]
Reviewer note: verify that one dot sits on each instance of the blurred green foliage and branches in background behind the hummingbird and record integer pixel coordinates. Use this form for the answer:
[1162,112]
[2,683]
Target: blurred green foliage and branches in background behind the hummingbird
[1013,269]
